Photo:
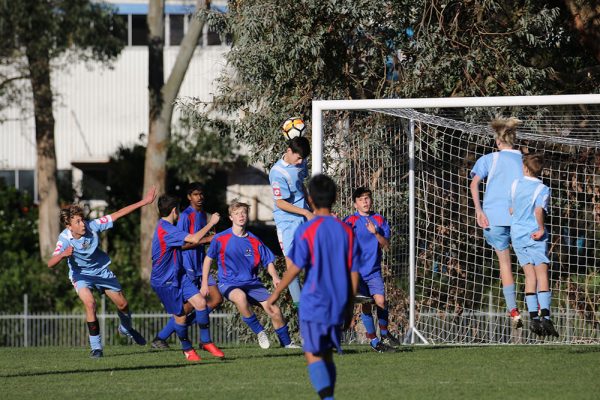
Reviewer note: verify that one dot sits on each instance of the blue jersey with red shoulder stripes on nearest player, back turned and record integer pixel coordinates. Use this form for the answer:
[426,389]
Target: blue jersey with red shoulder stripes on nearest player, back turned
[327,250]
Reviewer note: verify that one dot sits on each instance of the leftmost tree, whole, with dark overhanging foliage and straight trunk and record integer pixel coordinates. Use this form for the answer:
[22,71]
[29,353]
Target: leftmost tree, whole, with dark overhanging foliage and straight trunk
[36,37]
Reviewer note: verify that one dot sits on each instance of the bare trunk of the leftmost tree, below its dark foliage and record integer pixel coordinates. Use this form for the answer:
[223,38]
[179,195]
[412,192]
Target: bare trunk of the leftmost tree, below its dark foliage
[49,226]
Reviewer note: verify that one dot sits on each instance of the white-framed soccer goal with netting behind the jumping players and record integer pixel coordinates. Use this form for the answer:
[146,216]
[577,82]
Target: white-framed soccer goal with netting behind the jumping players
[442,279]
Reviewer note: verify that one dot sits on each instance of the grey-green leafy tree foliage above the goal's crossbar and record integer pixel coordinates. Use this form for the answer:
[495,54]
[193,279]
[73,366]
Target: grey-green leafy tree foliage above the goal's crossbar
[378,49]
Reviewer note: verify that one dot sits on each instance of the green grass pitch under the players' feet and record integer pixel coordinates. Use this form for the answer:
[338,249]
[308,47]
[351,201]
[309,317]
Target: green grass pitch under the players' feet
[128,372]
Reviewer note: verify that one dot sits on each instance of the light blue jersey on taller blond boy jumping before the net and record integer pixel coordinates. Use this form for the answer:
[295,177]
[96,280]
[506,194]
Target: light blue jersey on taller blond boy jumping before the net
[499,170]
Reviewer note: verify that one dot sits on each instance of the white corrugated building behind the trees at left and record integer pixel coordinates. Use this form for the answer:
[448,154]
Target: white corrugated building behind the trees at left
[98,109]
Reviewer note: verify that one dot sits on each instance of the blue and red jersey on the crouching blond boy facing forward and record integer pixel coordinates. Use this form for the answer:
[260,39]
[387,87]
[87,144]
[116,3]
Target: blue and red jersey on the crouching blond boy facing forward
[238,258]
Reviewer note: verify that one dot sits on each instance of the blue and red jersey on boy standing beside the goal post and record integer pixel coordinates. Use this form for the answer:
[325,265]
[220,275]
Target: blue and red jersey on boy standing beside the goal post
[370,250]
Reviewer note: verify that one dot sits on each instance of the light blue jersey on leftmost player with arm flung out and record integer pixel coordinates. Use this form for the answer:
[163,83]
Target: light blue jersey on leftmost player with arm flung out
[87,259]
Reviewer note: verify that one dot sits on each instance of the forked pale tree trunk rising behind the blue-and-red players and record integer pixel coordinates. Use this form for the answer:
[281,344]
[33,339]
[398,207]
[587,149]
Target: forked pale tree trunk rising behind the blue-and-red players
[161,98]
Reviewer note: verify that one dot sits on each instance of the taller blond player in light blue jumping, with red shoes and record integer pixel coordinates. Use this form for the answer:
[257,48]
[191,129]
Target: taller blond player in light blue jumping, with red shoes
[499,169]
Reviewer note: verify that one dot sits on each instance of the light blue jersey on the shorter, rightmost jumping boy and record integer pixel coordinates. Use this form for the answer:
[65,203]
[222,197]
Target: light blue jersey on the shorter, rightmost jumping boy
[527,194]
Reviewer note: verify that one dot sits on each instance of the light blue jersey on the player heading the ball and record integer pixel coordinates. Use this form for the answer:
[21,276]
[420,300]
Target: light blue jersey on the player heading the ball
[287,182]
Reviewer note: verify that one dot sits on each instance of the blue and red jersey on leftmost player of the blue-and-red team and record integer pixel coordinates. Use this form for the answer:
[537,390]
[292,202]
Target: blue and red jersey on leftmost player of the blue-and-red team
[167,266]
